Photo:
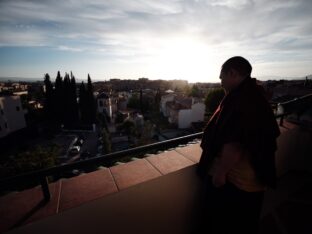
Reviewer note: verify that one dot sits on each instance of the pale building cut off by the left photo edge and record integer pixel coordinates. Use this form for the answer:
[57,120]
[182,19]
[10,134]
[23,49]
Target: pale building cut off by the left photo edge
[12,116]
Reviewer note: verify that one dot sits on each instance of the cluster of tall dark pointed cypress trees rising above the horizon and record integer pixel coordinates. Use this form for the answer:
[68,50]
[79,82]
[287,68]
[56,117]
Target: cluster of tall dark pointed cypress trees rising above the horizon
[61,105]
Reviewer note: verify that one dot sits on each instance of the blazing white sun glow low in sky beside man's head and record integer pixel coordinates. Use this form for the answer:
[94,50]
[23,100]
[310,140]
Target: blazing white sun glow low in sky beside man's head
[186,58]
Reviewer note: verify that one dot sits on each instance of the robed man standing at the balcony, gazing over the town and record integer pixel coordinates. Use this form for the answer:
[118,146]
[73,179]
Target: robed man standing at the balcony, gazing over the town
[237,163]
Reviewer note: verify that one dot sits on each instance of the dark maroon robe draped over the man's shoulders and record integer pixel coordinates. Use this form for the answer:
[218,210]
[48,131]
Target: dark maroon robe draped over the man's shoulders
[244,116]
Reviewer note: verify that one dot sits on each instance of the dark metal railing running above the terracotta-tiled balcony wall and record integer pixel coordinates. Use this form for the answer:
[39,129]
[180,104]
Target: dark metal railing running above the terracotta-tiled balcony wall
[41,175]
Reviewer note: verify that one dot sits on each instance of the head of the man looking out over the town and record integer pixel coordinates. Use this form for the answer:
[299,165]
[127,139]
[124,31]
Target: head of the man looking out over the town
[234,71]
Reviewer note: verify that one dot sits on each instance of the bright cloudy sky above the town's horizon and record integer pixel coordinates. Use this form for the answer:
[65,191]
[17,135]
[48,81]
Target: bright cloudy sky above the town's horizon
[157,39]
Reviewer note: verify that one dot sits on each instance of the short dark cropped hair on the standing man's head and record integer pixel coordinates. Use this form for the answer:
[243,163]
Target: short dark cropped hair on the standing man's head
[238,63]
